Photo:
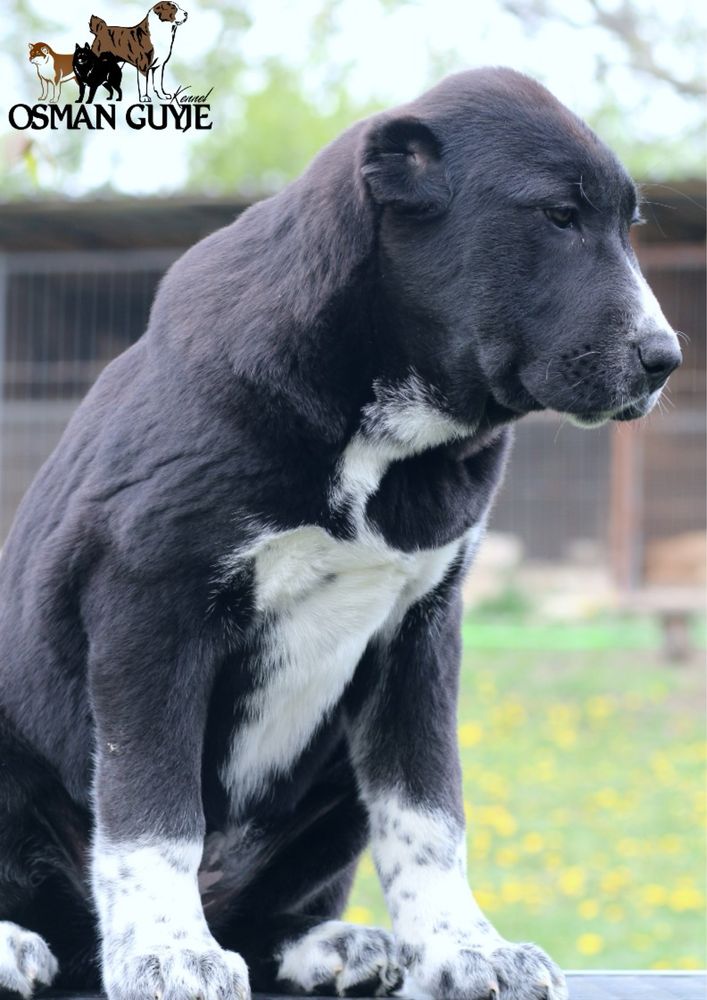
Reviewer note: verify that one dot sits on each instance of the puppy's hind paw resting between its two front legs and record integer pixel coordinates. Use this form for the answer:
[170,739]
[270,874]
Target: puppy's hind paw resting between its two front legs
[339,959]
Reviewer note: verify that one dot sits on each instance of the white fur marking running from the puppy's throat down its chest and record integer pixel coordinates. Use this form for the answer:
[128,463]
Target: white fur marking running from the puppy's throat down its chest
[321,600]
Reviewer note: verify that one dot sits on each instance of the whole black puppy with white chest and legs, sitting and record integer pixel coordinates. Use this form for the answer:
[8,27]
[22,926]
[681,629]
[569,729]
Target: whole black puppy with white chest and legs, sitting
[230,602]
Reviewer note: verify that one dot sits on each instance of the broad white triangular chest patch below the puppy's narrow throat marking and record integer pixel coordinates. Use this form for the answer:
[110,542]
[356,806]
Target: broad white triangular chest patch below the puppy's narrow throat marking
[319,601]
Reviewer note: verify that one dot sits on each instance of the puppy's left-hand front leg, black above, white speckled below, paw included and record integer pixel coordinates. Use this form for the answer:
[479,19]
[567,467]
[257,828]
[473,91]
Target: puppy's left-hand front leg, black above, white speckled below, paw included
[149,688]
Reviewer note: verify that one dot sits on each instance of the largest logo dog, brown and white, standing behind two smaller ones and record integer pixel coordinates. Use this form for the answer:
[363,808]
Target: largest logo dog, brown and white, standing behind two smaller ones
[147,46]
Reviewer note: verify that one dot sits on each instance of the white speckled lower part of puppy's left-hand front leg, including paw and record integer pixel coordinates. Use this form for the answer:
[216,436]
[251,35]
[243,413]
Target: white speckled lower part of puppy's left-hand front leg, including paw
[155,939]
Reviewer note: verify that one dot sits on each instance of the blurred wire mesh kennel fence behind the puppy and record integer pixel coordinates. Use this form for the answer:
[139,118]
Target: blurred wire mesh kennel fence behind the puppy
[64,315]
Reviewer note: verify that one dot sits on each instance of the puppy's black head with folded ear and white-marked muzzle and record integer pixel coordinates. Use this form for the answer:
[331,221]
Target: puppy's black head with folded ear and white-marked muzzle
[504,241]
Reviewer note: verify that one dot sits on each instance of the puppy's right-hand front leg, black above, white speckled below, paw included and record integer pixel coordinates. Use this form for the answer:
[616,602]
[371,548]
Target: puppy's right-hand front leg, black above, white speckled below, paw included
[402,726]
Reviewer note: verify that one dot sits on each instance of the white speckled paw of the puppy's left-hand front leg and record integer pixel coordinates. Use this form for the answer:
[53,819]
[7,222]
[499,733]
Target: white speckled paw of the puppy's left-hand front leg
[170,972]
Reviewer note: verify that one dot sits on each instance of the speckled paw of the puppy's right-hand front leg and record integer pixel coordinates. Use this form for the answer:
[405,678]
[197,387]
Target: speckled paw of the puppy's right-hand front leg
[505,972]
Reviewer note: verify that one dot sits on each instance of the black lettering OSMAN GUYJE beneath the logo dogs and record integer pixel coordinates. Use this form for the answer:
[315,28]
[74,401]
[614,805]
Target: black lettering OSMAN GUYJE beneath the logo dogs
[189,112]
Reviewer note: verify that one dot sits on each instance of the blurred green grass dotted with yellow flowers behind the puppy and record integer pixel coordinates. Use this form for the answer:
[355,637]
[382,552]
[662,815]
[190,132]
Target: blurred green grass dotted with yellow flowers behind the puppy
[584,785]
